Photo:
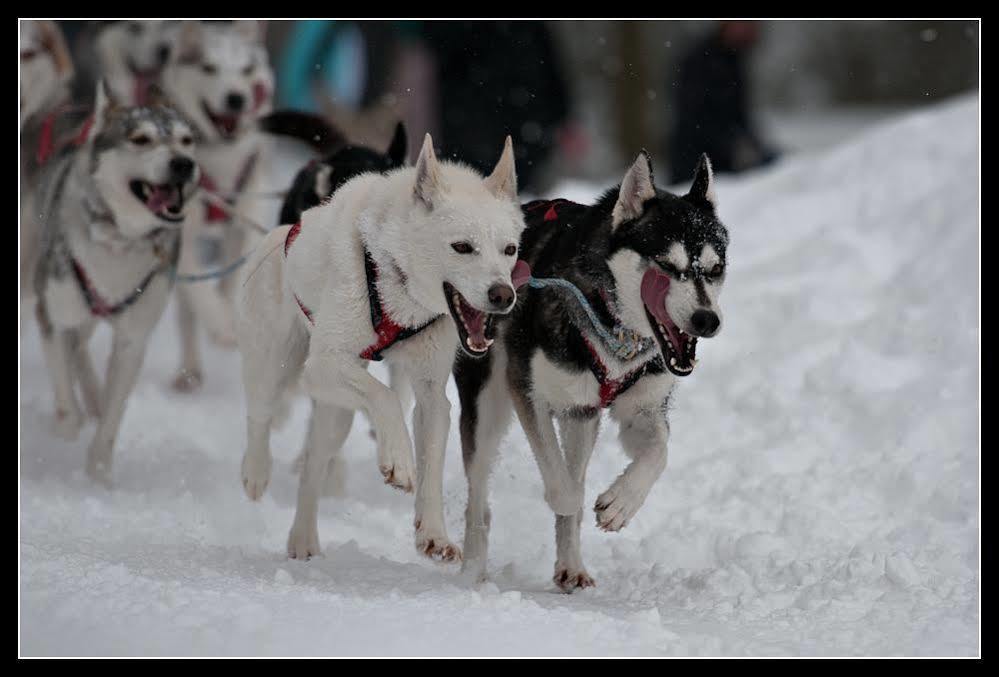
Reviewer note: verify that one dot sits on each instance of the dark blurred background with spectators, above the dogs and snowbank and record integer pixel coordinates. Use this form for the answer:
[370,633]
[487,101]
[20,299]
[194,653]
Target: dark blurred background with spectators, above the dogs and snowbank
[583,96]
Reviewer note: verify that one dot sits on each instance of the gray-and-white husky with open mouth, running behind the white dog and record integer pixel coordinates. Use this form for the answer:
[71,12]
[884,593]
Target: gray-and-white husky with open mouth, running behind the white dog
[111,210]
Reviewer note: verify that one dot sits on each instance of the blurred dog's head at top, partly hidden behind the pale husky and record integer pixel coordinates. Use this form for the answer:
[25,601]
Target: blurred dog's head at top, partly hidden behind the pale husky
[128,55]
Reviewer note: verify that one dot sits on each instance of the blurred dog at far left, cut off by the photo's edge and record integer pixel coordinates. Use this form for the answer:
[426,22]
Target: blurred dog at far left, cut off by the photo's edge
[46,74]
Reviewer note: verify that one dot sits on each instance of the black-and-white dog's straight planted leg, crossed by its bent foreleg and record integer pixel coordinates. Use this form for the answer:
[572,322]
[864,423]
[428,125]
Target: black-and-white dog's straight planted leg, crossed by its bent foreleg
[578,437]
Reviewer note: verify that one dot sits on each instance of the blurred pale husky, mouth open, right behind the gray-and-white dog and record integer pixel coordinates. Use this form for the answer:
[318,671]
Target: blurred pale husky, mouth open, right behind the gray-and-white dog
[220,78]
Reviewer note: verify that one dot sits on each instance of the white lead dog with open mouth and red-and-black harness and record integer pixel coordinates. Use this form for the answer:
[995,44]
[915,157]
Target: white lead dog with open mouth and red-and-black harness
[377,268]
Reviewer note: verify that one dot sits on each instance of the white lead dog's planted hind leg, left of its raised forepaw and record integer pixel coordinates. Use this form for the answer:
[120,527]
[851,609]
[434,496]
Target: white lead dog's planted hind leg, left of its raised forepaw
[328,429]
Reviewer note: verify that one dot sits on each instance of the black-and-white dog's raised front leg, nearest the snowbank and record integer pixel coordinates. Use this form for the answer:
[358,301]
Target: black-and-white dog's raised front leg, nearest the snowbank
[644,436]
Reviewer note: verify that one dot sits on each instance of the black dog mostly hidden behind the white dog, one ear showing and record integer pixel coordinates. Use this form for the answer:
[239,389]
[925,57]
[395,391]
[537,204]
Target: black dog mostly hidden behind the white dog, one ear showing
[319,179]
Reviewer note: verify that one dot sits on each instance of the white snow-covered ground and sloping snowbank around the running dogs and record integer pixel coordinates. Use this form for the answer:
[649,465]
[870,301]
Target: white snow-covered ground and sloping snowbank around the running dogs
[821,496]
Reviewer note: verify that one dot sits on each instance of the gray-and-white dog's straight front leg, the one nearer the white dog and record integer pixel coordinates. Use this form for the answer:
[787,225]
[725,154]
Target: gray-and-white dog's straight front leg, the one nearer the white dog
[127,353]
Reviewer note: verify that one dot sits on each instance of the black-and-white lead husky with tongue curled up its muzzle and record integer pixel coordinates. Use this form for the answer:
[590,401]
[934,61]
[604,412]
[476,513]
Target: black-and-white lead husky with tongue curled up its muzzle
[650,266]
